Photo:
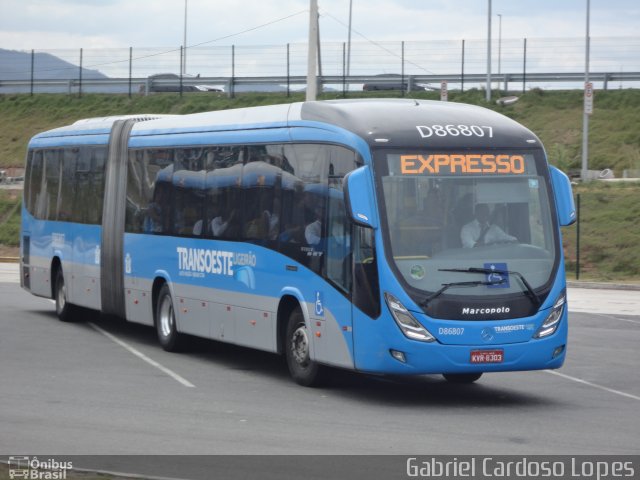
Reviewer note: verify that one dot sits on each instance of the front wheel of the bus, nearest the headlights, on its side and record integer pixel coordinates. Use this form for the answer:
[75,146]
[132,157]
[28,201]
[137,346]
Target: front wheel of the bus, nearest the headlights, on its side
[303,370]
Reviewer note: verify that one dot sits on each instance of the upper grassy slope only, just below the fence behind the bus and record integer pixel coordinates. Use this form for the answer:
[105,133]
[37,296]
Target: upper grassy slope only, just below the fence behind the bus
[555,116]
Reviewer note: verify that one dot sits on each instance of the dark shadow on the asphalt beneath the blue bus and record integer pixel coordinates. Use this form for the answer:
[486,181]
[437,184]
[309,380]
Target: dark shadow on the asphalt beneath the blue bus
[393,391]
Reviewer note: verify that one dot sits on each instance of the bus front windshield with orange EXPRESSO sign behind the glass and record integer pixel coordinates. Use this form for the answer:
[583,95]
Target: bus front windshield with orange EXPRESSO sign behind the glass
[478,223]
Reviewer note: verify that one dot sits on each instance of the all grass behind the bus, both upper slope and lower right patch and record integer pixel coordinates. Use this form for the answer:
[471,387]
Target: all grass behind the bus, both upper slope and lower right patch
[610,229]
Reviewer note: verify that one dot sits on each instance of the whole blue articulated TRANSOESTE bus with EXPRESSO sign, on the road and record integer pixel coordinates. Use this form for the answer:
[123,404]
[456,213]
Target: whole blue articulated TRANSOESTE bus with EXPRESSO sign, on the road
[386,236]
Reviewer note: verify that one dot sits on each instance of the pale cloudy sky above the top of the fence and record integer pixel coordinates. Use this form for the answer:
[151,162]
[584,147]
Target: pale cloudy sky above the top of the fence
[49,24]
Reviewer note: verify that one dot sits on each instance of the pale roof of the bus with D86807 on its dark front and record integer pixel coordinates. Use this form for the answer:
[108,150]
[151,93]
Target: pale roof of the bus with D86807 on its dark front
[379,122]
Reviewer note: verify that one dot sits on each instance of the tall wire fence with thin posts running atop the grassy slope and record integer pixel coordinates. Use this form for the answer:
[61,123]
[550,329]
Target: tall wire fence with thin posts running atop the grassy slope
[520,64]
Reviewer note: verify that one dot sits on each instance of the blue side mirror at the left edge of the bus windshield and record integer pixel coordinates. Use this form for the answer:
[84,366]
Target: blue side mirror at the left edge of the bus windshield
[360,198]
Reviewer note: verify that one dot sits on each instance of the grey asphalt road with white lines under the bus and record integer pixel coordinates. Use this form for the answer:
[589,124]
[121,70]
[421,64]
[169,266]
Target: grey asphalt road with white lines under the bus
[104,386]
